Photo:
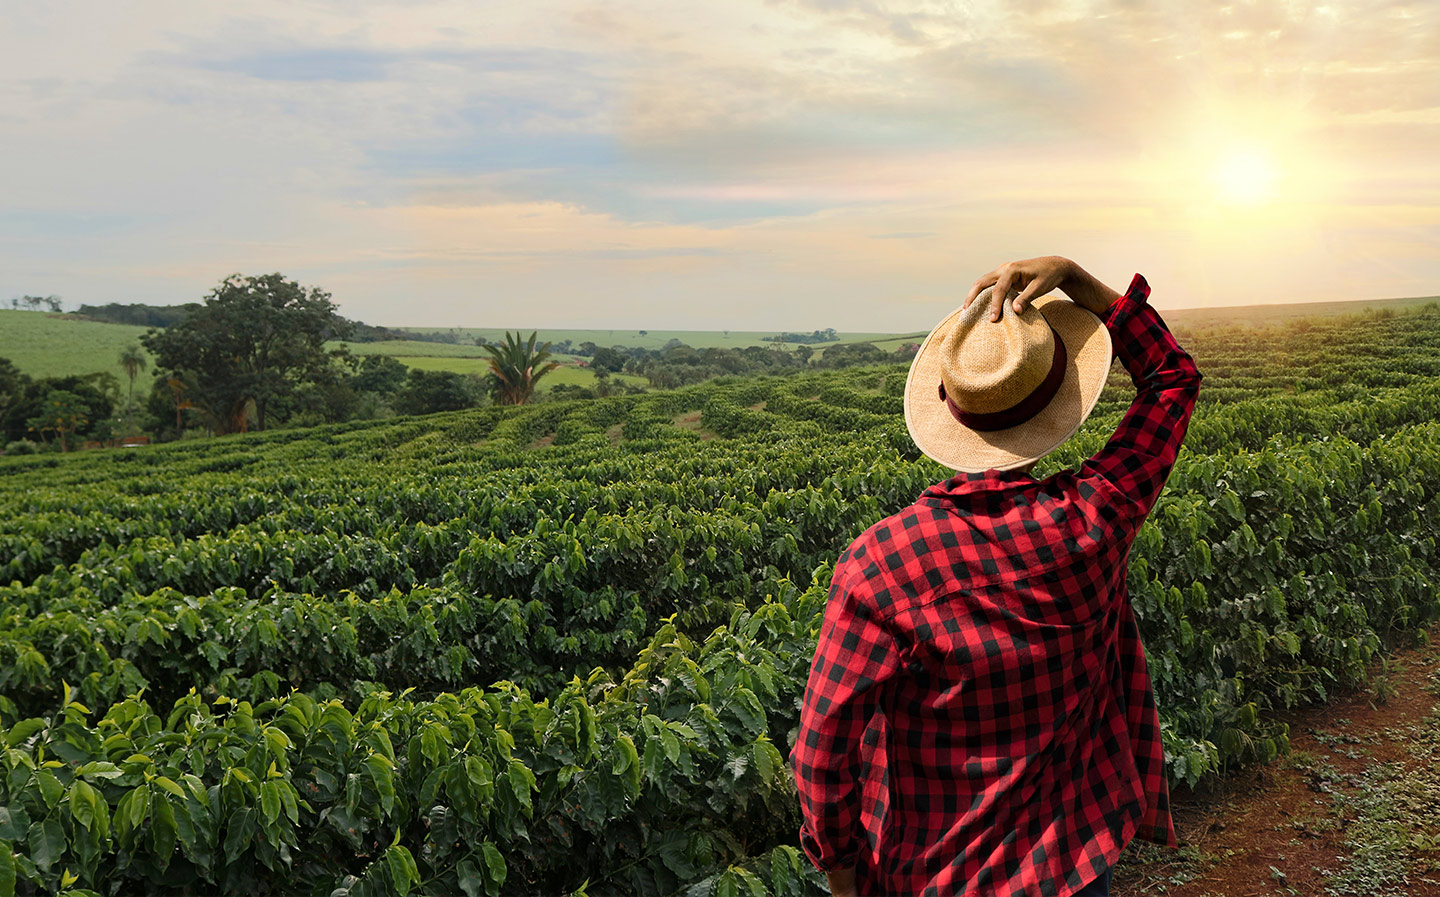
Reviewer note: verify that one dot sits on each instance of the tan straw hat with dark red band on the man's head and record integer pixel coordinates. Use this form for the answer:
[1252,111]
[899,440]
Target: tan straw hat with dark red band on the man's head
[1003,394]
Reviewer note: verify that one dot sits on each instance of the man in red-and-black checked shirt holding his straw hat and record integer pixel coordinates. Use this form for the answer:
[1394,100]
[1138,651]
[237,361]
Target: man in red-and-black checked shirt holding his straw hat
[980,718]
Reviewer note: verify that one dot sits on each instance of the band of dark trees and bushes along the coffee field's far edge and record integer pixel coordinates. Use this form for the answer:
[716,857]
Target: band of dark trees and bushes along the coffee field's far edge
[254,355]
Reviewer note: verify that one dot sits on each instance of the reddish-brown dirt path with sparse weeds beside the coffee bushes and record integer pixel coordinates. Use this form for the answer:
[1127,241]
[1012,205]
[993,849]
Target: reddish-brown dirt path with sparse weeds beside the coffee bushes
[1353,810]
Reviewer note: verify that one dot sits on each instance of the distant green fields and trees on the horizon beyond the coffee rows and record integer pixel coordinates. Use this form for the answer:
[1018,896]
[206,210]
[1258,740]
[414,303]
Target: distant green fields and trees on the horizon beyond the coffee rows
[169,372]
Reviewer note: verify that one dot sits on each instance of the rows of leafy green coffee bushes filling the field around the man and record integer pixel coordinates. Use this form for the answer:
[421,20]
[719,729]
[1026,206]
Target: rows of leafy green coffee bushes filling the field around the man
[561,649]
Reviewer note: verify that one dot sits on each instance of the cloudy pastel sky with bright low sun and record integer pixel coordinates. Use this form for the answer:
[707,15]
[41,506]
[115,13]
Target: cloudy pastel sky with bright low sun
[716,165]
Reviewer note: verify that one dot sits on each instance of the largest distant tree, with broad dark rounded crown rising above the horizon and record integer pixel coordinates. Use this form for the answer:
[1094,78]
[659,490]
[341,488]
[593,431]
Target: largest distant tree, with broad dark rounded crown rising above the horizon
[253,343]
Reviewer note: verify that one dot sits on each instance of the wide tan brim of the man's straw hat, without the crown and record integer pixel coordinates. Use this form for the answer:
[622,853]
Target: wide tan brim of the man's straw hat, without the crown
[941,437]
